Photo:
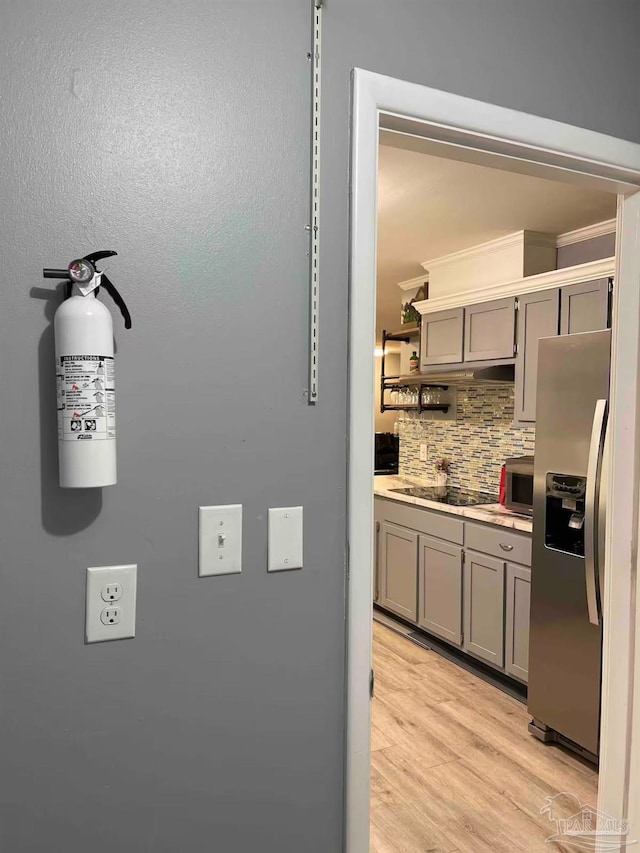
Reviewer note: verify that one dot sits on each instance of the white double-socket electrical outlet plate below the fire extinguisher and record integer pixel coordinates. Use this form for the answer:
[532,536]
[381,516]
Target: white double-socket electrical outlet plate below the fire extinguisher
[106,620]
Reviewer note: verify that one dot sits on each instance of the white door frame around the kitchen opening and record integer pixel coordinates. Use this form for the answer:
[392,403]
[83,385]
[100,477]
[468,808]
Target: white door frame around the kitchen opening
[545,146]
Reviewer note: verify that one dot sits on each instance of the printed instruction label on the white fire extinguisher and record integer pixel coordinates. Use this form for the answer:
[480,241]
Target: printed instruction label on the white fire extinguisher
[86,397]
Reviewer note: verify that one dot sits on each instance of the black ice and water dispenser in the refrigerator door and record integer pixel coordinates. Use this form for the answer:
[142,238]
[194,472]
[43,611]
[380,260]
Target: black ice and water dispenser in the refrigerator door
[564,516]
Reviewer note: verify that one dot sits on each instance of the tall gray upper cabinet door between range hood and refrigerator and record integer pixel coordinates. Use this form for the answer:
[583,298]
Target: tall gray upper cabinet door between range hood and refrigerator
[538,317]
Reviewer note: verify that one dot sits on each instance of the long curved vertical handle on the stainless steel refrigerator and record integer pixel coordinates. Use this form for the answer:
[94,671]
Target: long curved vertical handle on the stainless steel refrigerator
[591,510]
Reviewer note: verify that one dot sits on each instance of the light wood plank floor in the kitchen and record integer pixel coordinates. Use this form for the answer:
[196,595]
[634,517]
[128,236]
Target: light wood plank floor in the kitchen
[453,766]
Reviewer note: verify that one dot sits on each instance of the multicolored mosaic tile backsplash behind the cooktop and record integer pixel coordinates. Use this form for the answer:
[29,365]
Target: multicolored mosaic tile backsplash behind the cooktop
[476,443]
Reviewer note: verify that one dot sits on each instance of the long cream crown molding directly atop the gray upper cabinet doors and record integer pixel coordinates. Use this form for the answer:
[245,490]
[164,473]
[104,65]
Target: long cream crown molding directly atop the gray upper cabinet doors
[531,284]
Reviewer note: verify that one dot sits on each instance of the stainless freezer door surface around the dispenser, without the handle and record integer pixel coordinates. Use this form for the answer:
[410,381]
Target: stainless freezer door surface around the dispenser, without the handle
[565,648]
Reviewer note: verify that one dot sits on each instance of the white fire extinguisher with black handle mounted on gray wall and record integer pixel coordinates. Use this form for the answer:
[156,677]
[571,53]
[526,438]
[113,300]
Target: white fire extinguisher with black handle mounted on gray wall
[85,375]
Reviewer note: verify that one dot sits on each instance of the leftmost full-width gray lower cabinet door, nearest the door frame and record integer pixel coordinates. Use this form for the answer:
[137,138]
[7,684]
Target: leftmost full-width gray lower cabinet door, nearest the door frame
[398,570]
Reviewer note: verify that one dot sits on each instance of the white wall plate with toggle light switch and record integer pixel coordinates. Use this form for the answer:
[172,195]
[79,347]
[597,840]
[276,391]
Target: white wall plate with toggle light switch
[220,540]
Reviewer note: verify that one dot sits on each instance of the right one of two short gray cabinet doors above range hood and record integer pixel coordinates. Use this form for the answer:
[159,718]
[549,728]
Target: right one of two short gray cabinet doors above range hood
[489,330]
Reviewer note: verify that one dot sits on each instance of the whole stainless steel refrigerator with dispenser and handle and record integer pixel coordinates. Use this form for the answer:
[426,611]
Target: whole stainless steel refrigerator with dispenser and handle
[569,508]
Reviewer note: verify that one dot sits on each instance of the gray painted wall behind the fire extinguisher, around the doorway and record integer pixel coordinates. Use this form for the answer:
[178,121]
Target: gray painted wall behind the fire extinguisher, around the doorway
[176,133]
